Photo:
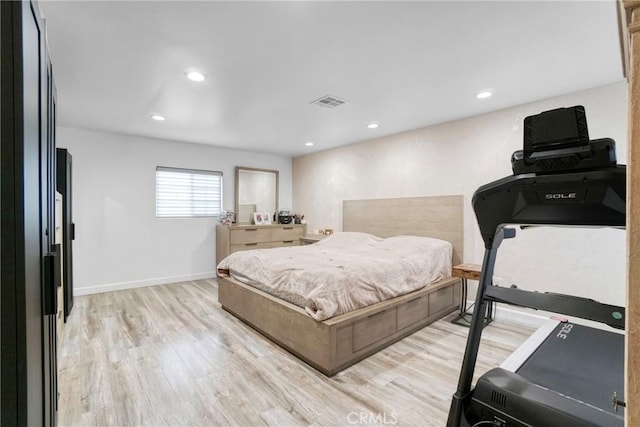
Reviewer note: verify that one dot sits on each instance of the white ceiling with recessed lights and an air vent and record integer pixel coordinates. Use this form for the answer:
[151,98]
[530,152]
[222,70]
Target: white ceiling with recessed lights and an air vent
[404,65]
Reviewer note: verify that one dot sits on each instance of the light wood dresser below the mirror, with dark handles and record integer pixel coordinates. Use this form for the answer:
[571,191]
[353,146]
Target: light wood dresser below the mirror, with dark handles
[233,238]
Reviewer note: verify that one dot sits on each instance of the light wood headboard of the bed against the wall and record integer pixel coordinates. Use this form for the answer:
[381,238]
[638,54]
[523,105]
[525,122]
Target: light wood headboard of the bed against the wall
[438,216]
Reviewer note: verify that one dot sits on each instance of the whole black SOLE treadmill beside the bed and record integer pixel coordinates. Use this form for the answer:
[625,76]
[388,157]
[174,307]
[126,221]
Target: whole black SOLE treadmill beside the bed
[565,374]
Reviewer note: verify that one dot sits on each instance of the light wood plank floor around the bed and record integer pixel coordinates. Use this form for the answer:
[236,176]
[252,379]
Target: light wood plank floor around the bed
[169,355]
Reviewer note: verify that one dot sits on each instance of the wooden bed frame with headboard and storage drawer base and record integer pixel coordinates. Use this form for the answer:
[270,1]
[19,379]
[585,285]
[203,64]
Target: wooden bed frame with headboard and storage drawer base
[334,344]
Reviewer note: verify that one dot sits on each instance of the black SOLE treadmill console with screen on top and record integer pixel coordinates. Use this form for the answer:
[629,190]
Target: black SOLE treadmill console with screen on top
[560,177]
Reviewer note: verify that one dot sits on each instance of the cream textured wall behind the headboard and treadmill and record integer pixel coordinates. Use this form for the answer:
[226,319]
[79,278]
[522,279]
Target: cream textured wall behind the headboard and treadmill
[456,158]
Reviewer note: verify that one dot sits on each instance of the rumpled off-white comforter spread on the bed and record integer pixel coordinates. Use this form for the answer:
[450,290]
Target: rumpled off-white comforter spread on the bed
[344,272]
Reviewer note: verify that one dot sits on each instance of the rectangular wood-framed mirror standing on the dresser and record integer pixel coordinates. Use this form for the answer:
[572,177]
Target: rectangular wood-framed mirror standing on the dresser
[256,191]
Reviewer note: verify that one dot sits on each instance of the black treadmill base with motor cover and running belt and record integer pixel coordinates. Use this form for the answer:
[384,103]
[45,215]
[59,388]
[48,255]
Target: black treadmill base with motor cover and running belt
[569,380]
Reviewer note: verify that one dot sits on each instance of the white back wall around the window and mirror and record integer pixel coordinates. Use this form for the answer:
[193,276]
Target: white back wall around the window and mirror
[119,241]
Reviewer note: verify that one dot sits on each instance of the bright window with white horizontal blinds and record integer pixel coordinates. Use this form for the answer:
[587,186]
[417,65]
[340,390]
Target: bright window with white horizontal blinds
[187,192]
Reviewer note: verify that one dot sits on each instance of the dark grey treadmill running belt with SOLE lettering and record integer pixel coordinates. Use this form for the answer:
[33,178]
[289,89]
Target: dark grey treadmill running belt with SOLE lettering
[581,362]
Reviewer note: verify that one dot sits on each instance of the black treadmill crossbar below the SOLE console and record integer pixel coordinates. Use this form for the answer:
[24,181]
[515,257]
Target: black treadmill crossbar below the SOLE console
[569,305]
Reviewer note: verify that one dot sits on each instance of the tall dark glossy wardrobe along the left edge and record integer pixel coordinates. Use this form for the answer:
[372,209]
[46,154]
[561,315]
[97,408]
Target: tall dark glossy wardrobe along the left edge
[29,263]
